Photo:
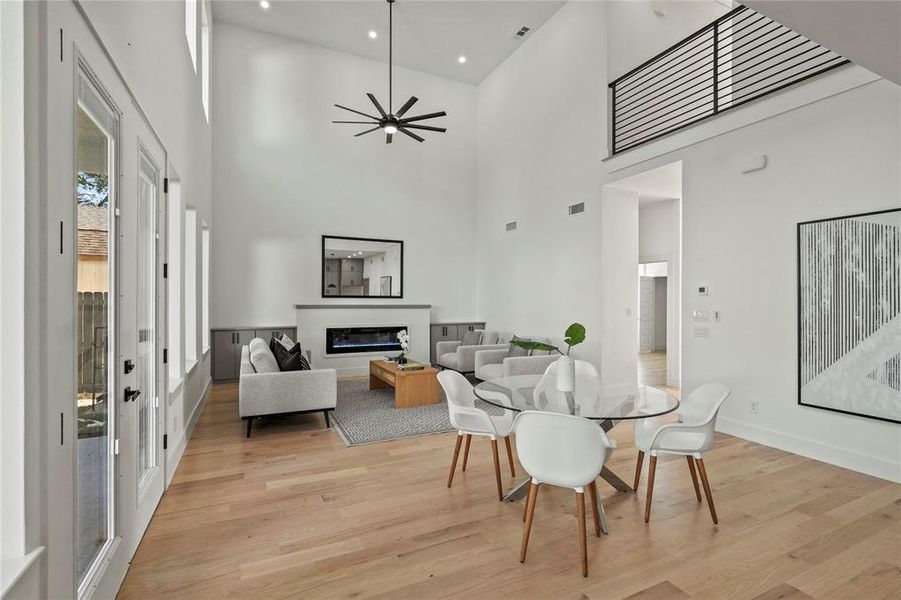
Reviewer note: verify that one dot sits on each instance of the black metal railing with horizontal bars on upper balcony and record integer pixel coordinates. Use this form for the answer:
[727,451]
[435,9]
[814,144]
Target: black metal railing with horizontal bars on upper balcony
[740,57]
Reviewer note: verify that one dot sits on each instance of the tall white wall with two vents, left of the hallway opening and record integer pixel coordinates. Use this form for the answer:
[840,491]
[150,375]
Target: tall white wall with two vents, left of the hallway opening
[541,127]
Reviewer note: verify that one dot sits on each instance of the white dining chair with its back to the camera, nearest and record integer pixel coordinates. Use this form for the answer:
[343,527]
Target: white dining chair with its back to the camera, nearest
[564,451]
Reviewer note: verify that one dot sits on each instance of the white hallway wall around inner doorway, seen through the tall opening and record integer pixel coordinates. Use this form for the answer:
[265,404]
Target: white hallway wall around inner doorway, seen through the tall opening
[659,238]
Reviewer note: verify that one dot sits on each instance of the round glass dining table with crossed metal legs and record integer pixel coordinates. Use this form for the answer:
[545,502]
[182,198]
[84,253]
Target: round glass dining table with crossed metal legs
[589,400]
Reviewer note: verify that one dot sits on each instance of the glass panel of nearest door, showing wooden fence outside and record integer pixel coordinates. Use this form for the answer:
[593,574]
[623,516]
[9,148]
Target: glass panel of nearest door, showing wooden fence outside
[95,131]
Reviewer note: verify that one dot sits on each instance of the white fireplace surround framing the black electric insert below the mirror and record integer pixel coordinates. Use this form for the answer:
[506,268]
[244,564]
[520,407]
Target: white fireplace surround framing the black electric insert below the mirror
[314,319]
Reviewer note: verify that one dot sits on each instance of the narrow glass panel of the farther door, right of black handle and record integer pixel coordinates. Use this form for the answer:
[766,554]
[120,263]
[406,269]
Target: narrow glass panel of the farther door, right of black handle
[148,179]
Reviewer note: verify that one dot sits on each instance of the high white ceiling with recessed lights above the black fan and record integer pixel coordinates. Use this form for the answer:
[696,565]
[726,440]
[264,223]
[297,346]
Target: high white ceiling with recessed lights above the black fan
[429,35]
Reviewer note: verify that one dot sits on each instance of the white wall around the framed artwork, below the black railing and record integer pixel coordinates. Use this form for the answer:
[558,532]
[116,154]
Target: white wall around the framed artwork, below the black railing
[837,156]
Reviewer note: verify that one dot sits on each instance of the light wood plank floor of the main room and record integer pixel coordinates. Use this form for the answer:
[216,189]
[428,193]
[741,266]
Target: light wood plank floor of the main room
[293,513]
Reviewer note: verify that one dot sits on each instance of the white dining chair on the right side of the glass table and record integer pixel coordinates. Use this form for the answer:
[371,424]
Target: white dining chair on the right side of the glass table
[691,437]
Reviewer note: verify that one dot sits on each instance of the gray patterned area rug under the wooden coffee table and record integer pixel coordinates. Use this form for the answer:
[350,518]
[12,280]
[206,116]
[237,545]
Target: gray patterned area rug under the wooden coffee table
[364,416]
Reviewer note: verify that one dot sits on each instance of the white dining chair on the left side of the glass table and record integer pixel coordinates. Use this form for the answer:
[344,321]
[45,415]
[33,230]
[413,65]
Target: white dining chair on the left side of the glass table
[469,421]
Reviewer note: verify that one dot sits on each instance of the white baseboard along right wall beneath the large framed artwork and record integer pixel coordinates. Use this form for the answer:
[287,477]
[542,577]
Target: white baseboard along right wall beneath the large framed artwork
[848,459]
